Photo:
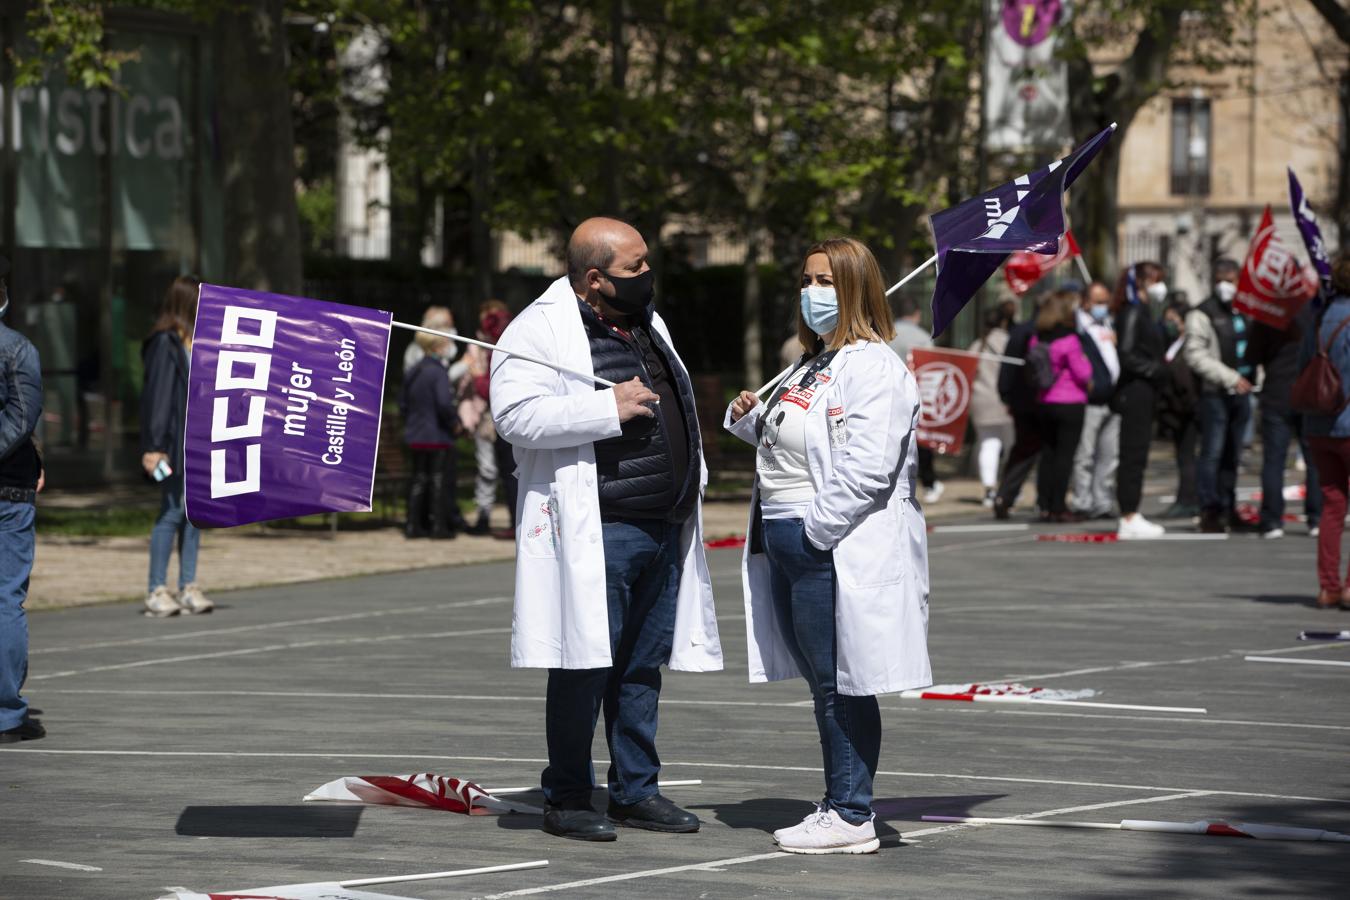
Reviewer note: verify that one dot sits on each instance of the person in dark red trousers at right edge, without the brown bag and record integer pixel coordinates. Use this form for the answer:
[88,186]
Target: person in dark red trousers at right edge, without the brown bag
[1329,437]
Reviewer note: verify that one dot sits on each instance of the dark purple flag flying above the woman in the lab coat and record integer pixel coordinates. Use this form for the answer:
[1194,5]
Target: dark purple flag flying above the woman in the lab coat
[975,237]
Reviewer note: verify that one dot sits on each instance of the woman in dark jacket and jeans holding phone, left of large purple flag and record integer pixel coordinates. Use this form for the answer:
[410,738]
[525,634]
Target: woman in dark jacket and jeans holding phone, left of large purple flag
[164,411]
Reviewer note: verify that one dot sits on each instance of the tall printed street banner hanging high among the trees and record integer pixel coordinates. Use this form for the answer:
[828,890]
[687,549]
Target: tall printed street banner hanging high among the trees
[1027,88]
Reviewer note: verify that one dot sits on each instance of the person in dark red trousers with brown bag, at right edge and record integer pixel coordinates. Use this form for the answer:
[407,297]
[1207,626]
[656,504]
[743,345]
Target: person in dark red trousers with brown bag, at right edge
[1325,358]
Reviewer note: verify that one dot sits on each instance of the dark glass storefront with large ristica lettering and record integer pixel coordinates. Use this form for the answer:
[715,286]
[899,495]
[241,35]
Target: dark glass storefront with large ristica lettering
[114,194]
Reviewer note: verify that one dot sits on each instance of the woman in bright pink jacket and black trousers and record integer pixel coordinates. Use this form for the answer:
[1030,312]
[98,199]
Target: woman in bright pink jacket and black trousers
[1063,377]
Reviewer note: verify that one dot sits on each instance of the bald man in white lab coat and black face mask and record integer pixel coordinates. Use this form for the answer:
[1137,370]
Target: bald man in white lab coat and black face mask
[611,577]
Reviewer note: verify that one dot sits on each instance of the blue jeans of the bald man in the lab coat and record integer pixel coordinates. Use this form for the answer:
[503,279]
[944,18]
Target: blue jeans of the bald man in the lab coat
[642,577]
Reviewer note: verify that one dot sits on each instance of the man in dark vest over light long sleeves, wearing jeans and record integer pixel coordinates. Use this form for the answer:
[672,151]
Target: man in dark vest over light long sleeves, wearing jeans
[1216,349]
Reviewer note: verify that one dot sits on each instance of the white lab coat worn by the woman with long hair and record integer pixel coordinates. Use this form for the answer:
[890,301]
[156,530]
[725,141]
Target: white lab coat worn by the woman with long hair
[862,454]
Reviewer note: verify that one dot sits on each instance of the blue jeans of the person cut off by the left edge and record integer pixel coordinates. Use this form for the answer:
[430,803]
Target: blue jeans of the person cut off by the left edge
[17,542]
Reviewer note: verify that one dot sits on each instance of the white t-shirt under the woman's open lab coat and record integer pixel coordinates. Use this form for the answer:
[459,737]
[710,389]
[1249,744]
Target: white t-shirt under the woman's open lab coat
[785,478]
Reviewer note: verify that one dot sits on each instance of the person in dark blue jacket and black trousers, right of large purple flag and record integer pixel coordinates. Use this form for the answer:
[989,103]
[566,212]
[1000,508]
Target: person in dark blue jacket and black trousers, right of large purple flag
[430,426]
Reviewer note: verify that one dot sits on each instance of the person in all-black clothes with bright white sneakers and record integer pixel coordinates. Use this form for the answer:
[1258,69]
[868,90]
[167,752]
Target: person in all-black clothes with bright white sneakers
[1140,289]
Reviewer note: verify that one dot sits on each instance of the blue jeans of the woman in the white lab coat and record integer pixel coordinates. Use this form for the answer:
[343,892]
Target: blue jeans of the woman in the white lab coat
[850,727]
